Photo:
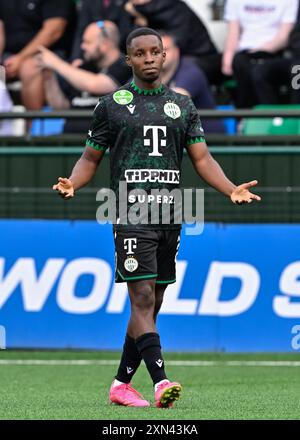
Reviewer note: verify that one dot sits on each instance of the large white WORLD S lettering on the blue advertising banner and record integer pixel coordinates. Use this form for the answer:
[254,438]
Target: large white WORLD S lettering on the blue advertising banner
[60,277]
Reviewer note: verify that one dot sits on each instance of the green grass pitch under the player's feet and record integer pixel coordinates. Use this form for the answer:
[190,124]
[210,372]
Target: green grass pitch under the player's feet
[213,391]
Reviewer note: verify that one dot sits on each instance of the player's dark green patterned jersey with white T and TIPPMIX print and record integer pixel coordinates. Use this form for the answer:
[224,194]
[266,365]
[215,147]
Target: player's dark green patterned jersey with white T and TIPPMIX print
[146,132]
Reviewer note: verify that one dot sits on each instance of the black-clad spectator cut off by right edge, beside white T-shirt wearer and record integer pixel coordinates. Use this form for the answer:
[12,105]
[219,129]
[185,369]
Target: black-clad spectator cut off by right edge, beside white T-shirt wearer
[270,76]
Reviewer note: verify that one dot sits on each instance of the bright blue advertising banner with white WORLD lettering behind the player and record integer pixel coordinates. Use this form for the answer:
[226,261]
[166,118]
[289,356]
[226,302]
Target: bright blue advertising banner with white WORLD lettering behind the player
[237,289]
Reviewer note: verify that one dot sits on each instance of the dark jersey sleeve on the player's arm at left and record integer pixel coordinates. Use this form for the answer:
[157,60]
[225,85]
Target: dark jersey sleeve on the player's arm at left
[98,135]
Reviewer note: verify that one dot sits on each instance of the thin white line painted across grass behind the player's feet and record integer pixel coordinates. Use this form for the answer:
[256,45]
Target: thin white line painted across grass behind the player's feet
[107,362]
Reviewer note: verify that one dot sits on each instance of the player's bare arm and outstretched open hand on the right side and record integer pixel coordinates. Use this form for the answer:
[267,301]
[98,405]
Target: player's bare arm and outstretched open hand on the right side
[210,171]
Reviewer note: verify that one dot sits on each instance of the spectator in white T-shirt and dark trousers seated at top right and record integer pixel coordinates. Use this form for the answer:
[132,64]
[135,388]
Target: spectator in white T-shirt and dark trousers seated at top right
[258,31]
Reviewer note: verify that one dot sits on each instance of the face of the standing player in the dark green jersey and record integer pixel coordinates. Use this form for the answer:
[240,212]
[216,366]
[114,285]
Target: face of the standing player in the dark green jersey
[146,57]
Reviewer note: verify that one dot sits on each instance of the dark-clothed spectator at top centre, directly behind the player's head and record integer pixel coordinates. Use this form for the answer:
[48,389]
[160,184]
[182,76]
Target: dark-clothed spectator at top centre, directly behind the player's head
[173,16]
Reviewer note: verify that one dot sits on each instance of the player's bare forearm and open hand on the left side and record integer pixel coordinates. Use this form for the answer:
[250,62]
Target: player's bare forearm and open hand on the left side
[82,173]
